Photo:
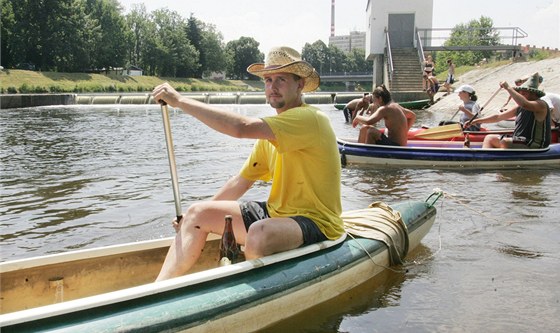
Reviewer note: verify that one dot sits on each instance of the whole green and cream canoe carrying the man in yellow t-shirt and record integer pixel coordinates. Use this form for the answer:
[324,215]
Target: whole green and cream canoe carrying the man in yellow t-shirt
[109,289]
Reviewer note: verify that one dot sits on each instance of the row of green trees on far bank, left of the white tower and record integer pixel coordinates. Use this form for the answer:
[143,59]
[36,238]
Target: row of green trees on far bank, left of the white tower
[91,35]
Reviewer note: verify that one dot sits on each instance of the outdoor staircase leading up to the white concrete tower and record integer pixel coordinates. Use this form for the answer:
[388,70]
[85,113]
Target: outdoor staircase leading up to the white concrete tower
[407,74]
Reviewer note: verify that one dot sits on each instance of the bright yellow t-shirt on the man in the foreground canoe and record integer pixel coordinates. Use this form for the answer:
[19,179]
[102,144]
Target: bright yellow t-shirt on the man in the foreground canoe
[304,166]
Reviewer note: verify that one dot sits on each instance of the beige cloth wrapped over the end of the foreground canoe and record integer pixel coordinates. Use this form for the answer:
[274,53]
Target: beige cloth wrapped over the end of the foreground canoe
[380,222]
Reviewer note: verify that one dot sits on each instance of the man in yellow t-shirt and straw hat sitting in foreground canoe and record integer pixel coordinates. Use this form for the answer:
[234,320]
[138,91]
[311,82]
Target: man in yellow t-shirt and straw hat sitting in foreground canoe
[296,150]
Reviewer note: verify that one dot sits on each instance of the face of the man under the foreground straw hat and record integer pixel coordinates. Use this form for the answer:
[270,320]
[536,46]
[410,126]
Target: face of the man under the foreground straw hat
[283,90]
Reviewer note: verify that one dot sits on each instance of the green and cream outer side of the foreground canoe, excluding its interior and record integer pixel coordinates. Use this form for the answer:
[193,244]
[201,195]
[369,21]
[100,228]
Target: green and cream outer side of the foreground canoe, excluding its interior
[242,297]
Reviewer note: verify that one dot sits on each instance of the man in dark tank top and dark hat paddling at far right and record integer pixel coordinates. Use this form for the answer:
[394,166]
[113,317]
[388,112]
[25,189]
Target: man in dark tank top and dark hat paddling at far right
[532,118]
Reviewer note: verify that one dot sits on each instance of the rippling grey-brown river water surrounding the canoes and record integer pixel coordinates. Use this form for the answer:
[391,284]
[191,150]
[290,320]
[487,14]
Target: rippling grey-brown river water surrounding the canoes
[88,176]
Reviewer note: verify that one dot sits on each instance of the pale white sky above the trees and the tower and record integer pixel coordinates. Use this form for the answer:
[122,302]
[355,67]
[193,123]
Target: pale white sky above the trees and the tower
[296,22]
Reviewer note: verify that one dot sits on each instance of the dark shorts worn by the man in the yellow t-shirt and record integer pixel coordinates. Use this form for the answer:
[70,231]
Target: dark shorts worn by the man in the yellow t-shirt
[253,211]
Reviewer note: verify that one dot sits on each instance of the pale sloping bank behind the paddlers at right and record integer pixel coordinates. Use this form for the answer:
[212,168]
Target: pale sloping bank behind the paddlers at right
[486,81]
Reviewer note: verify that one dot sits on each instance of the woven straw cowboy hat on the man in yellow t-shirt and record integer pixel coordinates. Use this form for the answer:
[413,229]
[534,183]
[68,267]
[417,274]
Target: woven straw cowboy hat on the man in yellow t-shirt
[287,60]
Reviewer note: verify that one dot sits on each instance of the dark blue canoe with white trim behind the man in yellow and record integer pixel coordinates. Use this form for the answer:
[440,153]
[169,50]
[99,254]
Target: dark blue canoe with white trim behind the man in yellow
[431,153]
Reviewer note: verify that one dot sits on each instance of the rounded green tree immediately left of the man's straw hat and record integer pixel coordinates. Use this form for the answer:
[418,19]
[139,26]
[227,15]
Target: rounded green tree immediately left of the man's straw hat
[240,54]
